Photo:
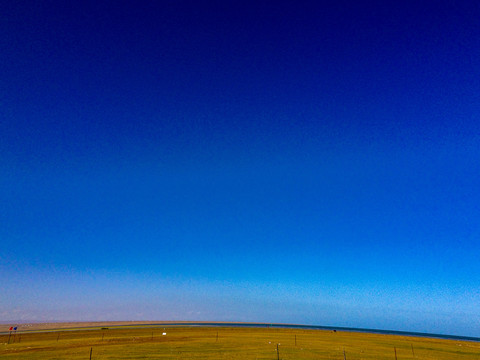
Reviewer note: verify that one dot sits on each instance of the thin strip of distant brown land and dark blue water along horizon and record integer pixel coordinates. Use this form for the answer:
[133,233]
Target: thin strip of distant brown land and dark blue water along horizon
[73,325]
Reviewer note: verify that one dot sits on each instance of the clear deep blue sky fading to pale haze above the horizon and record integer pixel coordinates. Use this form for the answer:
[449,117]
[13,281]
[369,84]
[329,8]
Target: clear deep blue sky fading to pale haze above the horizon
[247,161]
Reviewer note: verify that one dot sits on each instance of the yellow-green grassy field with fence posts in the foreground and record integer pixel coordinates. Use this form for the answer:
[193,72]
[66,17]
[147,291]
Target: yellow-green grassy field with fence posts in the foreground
[137,342]
